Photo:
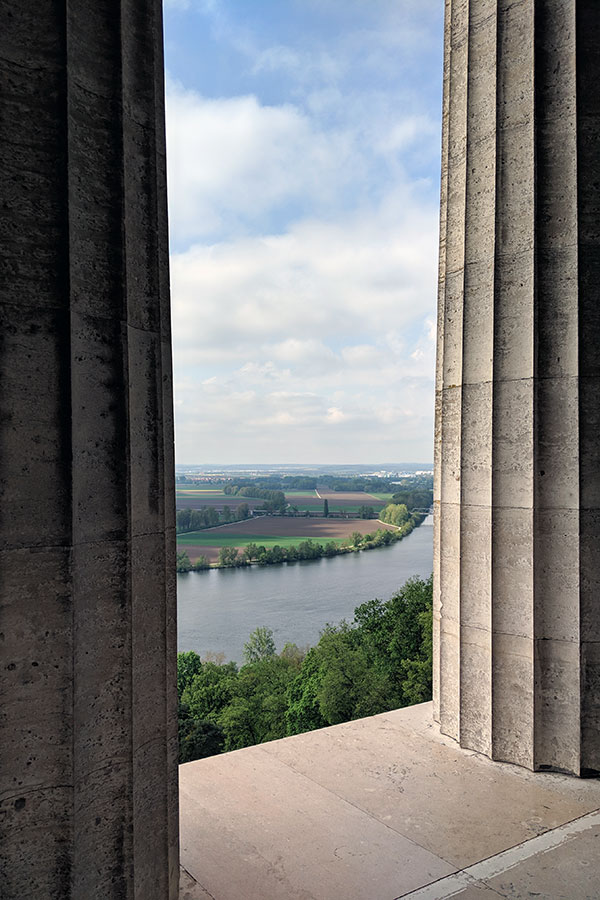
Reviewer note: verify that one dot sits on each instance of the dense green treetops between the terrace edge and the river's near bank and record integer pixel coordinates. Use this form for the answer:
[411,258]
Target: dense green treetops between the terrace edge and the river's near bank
[382,660]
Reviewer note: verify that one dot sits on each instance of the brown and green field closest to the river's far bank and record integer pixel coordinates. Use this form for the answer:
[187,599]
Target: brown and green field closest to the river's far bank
[272,530]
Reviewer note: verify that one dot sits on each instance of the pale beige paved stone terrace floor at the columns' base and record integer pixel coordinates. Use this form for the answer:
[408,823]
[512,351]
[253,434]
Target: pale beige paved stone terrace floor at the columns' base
[383,808]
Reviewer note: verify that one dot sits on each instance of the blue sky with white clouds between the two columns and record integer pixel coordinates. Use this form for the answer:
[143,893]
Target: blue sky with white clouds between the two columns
[303,145]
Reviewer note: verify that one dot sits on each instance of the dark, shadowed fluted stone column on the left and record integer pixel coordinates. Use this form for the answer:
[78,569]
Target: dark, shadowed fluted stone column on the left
[88,740]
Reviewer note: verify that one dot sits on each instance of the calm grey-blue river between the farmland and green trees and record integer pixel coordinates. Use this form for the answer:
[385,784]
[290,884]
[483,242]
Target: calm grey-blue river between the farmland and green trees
[218,609]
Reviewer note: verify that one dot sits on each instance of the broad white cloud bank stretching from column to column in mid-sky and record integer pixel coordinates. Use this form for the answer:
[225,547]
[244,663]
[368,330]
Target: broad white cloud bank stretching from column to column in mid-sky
[318,282]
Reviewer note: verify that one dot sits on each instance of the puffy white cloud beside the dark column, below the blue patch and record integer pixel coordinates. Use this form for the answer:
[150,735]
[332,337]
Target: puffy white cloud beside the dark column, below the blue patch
[233,160]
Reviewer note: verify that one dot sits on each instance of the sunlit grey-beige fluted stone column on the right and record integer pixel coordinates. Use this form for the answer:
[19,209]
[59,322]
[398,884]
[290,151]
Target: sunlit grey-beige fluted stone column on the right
[517,493]
